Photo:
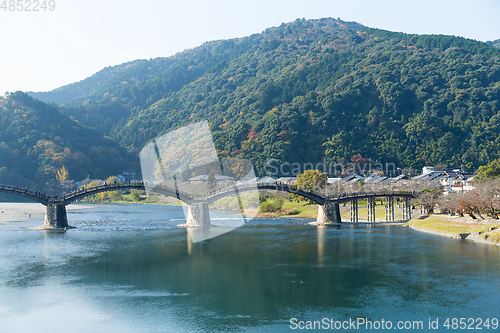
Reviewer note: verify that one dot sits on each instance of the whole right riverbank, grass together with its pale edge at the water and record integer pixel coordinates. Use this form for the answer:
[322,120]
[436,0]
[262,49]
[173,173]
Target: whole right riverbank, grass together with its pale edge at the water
[482,231]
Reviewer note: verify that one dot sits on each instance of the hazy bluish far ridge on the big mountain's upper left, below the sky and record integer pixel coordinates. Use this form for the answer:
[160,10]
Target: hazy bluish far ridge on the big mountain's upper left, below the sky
[163,75]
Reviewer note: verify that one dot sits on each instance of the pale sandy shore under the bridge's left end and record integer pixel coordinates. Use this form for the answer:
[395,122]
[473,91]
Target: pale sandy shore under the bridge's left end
[14,211]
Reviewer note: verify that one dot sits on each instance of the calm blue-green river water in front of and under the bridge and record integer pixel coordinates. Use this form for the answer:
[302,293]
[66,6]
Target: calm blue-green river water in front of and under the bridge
[128,268]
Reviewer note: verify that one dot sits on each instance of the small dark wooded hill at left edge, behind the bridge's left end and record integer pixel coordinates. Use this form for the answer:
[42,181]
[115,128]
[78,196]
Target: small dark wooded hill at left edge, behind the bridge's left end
[36,140]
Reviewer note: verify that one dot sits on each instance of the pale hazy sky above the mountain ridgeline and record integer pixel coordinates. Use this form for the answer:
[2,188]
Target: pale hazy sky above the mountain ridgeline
[41,51]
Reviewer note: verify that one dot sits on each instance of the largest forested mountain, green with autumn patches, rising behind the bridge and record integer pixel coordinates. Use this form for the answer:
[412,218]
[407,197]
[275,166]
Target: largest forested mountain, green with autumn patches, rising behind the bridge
[312,89]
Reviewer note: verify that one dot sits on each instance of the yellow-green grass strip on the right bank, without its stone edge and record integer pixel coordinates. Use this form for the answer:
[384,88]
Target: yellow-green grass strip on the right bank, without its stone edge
[443,224]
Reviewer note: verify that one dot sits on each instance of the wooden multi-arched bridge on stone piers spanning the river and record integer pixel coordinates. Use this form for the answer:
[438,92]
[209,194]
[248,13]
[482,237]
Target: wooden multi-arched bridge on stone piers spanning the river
[198,216]
